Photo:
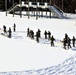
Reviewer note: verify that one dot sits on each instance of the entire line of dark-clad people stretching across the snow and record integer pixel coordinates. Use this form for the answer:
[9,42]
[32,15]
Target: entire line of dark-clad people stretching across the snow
[30,33]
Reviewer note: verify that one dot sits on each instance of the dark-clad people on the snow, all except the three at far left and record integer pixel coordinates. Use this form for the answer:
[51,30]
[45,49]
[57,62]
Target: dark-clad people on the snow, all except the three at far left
[66,40]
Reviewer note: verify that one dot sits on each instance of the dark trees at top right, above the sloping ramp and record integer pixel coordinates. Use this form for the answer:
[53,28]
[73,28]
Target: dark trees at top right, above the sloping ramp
[68,5]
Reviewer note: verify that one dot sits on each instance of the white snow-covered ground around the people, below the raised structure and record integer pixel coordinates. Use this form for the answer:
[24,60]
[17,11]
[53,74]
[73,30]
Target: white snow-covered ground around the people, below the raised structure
[22,54]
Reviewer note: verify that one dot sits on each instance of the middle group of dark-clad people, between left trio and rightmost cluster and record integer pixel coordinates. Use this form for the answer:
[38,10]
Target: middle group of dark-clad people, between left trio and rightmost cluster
[30,33]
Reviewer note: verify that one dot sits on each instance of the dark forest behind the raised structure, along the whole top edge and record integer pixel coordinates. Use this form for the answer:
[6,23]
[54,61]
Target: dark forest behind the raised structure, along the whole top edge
[69,6]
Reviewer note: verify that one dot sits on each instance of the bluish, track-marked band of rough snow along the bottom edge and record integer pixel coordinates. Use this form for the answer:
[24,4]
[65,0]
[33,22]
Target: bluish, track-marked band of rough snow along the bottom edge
[68,67]
